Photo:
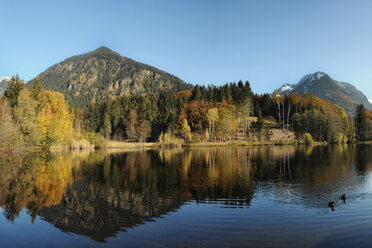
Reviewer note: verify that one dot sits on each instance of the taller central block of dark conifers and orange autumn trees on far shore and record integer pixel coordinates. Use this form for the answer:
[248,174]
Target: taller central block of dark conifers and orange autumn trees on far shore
[201,114]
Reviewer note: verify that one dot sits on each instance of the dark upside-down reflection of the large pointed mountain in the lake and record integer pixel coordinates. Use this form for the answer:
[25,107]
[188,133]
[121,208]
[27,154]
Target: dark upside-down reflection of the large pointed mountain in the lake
[98,212]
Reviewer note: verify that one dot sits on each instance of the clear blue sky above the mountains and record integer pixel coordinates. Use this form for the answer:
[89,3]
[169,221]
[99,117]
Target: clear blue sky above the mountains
[202,42]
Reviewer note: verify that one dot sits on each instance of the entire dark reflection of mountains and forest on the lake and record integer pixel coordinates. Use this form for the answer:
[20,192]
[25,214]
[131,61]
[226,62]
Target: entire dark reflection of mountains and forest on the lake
[97,194]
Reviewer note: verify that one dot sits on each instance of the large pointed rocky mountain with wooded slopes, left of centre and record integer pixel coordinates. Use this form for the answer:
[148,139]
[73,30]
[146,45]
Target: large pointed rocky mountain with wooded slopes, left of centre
[102,74]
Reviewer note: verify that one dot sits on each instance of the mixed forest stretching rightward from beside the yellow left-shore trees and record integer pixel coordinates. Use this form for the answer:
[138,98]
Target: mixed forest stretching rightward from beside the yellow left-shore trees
[225,113]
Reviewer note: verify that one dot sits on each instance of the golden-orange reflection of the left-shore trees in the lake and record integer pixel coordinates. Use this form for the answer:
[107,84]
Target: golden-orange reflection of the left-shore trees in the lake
[35,182]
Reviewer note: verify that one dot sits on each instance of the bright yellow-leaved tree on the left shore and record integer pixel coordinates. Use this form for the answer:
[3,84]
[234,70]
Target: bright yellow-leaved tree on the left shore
[55,120]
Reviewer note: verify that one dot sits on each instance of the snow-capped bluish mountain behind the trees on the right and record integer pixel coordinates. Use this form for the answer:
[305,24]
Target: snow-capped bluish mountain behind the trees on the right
[323,86]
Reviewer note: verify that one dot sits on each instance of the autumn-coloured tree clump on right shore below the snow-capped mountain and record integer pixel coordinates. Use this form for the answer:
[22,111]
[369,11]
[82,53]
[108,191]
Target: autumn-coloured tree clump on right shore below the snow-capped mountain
[307,114]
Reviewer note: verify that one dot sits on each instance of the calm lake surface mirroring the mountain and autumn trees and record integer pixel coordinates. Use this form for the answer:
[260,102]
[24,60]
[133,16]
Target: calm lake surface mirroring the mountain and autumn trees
[204,197]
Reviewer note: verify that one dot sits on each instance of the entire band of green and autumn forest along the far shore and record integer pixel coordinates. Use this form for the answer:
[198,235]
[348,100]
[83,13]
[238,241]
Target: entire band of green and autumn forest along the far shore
[37,118]
